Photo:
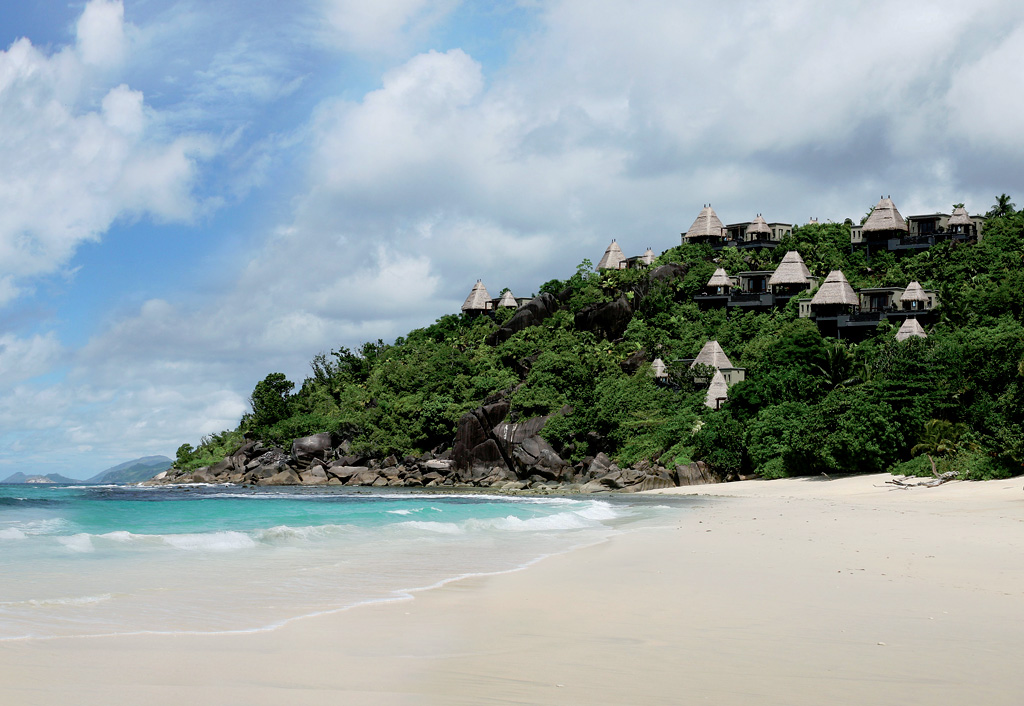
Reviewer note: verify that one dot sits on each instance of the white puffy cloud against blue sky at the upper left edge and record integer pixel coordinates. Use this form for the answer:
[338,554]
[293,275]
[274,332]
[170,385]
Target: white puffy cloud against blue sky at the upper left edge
[72,168]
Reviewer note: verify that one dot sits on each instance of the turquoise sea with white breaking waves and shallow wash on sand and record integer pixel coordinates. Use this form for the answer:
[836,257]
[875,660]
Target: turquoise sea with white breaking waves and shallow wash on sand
[86,561]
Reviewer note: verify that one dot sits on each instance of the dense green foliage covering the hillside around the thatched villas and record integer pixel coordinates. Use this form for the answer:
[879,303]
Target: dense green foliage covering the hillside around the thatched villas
[809,405]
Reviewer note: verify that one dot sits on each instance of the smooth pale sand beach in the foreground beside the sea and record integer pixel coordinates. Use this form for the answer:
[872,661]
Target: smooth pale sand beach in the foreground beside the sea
[796,592]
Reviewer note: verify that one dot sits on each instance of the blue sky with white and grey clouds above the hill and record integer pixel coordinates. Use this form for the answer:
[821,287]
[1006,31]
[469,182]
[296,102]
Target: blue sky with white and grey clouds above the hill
[194,194]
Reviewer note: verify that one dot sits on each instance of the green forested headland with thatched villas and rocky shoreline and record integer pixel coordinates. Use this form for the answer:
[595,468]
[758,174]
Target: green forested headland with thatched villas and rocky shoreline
[751,350]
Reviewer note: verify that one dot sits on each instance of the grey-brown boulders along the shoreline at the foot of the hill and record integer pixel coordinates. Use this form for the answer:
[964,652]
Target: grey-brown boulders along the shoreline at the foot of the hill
[321,461]
